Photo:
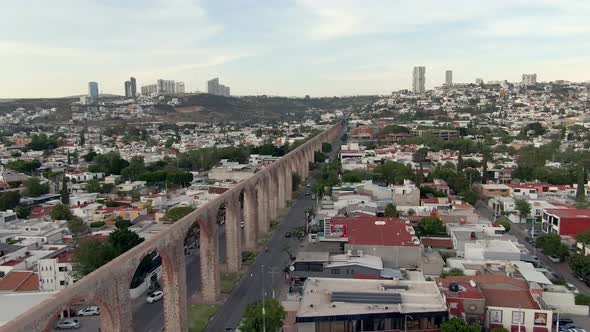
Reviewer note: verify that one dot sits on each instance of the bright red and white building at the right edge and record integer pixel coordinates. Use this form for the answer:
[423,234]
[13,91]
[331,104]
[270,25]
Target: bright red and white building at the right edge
[565,221]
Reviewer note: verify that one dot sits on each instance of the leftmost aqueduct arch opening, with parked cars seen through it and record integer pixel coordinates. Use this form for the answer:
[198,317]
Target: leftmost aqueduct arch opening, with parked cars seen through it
[86,314]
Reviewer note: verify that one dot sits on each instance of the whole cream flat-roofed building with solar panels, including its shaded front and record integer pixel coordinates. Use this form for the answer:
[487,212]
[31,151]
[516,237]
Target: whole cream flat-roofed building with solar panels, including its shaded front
[330,304]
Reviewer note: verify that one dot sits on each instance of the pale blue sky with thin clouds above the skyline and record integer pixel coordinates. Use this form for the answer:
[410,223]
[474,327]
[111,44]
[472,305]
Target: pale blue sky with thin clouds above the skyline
[286,47]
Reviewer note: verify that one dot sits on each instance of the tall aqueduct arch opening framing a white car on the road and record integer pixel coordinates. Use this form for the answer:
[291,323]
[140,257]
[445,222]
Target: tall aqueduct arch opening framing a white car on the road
[146,293]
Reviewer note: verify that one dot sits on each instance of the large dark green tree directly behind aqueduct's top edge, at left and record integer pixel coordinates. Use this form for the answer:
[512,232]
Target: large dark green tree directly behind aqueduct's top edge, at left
[91,253]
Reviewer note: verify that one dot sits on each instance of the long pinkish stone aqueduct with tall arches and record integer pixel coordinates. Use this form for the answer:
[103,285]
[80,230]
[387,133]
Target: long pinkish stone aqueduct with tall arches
[263,195]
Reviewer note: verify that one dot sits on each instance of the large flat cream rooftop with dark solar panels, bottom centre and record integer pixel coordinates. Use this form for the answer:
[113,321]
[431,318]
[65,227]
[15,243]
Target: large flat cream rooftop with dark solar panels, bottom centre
[329,297]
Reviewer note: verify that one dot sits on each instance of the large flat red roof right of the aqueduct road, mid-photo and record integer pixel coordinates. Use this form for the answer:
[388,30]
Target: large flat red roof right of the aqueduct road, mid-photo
[381,231]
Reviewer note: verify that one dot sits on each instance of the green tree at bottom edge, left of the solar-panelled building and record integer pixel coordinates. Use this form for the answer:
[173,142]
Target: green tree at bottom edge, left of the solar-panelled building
[252,319]
